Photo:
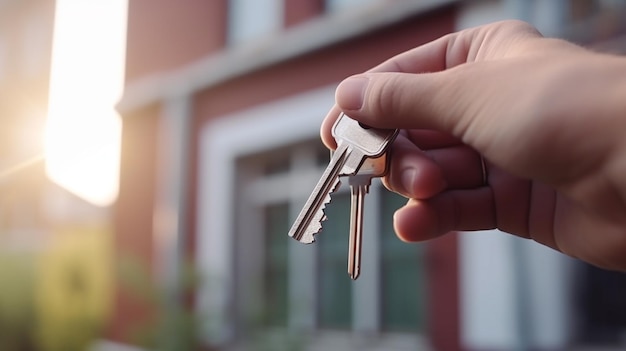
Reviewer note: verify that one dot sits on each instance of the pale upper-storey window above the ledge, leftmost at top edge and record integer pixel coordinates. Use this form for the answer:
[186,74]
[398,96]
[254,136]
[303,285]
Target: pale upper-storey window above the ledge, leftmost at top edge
[253,19]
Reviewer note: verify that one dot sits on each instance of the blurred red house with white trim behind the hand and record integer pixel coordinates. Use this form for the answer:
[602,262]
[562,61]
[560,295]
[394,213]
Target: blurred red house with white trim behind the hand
[222,109]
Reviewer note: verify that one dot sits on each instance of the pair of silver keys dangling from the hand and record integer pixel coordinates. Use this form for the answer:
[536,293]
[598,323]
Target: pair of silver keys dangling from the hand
[361,155]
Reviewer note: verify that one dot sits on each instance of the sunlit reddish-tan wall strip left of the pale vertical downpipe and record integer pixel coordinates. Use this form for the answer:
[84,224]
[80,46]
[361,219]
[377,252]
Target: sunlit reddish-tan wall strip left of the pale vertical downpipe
[133,221]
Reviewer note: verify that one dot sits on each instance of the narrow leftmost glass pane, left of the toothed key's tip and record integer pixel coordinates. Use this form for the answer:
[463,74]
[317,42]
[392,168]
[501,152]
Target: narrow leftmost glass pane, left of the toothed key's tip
[277,224]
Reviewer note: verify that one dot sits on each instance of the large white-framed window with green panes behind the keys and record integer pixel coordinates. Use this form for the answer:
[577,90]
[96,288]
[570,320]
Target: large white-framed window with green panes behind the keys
[260,166]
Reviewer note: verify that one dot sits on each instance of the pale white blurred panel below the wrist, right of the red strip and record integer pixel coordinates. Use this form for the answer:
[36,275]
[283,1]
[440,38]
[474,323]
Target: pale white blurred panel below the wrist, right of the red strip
[514,292]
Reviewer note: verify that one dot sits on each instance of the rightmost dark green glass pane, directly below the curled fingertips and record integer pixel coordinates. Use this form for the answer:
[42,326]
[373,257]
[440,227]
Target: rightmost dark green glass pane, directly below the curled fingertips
[403,281]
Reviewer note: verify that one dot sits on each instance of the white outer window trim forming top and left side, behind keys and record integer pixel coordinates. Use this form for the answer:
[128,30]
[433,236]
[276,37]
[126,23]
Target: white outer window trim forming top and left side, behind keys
[261,128]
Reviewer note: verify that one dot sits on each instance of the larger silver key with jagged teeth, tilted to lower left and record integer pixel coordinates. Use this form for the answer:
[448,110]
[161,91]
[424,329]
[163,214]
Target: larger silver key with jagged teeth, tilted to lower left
[354,145]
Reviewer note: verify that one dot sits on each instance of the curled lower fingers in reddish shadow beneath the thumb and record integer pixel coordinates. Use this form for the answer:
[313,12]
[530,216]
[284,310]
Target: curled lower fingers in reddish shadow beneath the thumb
[446,187]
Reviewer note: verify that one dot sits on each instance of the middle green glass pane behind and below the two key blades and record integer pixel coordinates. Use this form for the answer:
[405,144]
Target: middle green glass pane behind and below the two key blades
[335,288]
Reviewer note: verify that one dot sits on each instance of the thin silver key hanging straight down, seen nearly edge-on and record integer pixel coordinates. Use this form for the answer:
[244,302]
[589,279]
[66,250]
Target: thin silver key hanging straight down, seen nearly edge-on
[359,187]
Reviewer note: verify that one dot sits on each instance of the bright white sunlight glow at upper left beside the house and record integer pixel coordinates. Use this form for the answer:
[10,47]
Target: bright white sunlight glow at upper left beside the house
[83,130]
